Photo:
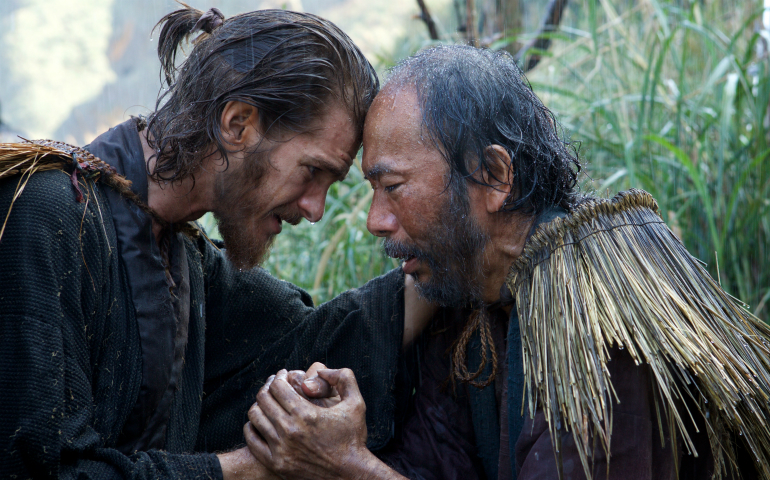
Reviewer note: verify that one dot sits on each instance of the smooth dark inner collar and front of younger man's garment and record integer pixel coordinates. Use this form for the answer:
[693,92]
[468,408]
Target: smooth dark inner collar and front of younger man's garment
[158,313]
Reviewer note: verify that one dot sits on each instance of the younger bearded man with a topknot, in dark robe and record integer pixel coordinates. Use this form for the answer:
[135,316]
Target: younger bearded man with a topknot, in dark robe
[130,341]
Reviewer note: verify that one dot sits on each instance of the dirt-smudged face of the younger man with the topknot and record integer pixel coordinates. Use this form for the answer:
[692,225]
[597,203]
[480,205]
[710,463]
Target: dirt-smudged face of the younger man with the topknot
[285,182]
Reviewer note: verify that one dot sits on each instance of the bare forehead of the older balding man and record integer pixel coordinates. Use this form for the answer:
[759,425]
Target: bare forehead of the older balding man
[394,135]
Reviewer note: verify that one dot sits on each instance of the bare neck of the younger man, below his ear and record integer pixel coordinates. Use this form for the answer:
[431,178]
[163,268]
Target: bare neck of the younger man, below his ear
[180,200]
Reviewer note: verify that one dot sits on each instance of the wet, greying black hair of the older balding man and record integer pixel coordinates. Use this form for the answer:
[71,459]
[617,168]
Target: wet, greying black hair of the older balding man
[472,98]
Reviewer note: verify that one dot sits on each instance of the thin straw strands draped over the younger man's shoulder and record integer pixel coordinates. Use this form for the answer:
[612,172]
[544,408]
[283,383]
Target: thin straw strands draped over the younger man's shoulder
[33,156]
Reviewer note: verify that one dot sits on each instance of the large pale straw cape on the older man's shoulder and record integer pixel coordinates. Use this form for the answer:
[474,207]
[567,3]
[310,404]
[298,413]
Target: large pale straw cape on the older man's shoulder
[612,274]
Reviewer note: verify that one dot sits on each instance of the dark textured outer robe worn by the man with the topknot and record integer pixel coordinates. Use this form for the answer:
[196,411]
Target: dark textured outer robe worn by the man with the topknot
[71,355]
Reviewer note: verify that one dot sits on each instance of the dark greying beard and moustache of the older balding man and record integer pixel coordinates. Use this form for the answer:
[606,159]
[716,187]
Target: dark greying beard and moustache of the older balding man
[453,253]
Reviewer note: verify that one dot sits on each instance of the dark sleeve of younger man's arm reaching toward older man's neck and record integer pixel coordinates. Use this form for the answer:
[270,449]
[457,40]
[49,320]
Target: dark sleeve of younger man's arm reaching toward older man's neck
[257,325]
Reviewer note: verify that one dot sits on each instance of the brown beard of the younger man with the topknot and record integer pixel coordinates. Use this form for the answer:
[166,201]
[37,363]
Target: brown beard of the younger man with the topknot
[245,245]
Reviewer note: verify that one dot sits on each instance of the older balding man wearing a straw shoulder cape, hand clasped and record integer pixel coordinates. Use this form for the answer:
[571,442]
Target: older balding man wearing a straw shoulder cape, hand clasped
[586,315]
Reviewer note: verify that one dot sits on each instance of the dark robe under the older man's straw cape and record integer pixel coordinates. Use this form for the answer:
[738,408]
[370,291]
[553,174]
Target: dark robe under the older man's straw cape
[469,433]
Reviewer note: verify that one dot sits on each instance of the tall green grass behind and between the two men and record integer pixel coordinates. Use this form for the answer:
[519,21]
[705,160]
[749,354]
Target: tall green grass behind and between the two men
[671,97]
